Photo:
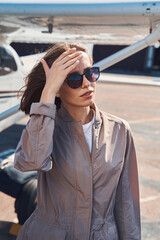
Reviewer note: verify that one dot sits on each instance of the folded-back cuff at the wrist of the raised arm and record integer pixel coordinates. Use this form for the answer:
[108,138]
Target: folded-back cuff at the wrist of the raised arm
[40,108]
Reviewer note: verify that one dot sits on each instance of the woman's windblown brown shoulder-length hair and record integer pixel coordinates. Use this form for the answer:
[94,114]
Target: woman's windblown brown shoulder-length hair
[35,80]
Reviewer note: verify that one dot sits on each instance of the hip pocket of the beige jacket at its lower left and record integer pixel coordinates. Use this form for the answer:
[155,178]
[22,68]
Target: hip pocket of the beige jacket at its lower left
[41,230]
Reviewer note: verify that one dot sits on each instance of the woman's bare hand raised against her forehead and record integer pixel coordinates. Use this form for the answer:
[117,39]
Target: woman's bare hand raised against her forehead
[60,68]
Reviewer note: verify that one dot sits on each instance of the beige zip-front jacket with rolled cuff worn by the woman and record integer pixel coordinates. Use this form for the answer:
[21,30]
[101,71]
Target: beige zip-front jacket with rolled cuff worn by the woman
[80,197]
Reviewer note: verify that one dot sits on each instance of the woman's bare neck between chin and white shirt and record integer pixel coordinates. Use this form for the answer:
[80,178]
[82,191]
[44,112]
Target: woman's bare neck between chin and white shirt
[80,113]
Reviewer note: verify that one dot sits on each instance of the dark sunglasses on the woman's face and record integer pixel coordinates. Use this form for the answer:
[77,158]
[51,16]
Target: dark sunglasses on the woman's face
[75,80]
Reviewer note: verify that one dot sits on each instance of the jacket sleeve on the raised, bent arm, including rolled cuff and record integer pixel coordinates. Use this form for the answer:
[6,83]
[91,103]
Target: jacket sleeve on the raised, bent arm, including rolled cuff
[34,149]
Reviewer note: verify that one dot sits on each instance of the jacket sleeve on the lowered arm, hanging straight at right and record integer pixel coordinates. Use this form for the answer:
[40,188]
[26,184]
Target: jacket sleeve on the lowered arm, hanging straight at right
[127,206]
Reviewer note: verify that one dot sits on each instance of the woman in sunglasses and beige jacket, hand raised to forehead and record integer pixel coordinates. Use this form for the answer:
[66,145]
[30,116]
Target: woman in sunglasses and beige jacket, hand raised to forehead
[85,158]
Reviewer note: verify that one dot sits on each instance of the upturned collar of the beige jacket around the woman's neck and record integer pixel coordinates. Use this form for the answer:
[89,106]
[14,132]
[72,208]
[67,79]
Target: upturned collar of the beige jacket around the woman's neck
[63,114]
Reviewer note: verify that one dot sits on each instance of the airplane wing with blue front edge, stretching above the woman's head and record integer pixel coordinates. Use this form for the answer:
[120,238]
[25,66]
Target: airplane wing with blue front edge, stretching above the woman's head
[97,22]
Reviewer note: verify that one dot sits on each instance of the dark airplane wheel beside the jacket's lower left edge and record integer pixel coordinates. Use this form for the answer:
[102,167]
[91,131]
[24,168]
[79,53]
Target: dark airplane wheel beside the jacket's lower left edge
[26,201]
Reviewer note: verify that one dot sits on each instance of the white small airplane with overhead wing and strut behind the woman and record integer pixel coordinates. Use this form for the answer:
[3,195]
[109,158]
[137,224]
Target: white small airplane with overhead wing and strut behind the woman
[135,23]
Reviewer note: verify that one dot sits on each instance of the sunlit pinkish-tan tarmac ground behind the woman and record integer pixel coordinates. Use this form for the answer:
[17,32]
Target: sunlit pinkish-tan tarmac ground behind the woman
[140,106]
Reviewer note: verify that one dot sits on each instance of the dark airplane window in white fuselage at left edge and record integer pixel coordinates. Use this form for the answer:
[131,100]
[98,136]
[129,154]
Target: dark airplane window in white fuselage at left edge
[7,62]
